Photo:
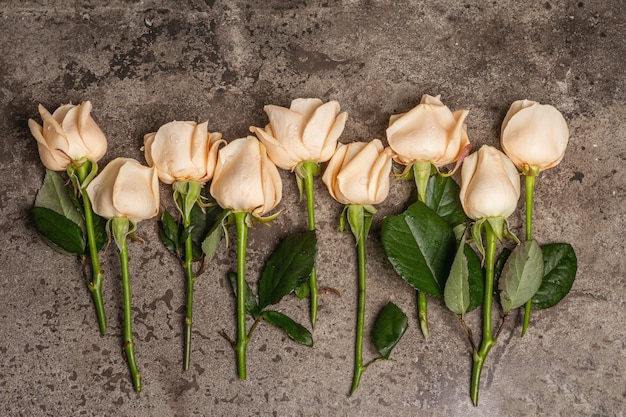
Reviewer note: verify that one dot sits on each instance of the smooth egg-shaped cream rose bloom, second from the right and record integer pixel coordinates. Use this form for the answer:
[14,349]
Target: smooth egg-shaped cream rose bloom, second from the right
[490,184]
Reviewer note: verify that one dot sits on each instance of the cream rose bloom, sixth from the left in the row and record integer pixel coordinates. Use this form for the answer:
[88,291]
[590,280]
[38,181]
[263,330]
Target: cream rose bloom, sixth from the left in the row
[358,173]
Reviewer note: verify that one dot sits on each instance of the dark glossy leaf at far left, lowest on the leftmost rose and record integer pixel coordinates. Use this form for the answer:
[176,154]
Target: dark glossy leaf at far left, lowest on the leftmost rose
[59,230]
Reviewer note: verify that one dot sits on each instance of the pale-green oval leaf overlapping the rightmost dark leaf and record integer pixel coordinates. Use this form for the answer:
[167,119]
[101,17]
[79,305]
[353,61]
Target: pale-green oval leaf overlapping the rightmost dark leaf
[521,276]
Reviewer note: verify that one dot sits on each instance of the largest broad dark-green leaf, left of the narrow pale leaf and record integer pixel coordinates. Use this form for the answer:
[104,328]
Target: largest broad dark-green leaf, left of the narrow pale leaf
[420,246]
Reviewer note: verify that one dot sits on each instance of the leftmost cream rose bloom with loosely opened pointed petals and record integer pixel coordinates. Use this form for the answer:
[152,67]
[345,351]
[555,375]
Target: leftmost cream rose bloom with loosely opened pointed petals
[67,135]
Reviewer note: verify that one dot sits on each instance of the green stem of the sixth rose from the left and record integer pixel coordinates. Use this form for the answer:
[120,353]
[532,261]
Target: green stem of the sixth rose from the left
[359,368]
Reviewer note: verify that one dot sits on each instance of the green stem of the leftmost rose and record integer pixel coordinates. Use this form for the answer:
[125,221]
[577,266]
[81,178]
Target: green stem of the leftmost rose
[95,285]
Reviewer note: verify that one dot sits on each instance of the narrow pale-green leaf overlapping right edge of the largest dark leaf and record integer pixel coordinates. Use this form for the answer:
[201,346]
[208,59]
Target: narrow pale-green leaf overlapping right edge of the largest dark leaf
[456,293]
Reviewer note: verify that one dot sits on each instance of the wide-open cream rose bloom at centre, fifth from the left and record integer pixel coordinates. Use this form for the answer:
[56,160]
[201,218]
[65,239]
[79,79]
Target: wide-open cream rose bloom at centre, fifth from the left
[307,131]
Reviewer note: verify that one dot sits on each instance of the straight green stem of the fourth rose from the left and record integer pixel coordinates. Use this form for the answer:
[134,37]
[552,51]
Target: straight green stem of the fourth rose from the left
[242,337]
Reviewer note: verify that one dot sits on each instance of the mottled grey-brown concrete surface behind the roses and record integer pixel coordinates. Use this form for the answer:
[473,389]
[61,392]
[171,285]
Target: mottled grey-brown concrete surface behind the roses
[144,63]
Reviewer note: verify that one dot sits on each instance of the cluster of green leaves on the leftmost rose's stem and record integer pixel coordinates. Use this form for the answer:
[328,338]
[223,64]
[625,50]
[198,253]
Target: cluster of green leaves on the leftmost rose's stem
[59,218]
